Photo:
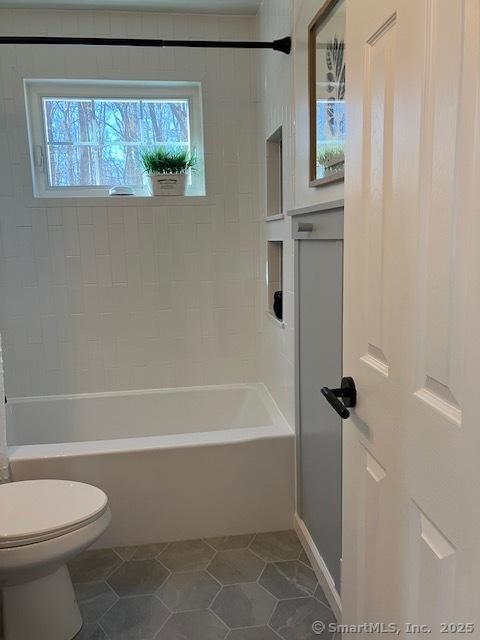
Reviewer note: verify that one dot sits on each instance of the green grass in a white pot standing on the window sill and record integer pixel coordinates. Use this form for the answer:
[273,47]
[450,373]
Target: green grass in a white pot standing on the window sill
[168,170]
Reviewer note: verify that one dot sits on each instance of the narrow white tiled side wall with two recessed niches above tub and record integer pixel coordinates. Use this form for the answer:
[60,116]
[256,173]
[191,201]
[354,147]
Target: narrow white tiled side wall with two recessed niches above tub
[275,84]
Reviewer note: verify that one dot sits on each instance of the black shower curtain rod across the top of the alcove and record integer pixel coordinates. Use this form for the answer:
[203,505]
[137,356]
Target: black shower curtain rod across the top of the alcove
[284,44]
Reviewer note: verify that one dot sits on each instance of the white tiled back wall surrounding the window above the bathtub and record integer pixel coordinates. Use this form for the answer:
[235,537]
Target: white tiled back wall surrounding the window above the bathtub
[112,295]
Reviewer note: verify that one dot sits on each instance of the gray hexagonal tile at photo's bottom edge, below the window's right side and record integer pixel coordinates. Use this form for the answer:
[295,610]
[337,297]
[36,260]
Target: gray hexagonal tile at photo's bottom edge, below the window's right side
[193,625]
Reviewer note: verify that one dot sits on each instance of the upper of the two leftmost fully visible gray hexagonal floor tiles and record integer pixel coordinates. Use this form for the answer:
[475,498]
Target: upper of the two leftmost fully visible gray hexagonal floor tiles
[138,578]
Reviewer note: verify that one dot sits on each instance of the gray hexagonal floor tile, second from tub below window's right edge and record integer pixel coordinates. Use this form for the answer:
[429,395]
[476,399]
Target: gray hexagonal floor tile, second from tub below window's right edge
[188,590]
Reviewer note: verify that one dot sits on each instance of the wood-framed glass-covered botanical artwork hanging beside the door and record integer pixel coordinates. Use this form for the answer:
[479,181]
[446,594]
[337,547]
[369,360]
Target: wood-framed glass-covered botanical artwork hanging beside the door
[326,80]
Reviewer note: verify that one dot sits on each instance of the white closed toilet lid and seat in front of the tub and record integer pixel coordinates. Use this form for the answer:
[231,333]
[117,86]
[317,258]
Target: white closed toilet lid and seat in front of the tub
[36,510]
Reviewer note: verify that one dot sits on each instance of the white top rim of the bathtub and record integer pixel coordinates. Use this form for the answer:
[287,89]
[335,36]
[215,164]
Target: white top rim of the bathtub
[279,429]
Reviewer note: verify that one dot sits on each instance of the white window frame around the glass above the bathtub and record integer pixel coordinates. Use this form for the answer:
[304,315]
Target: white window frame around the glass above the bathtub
[37,89]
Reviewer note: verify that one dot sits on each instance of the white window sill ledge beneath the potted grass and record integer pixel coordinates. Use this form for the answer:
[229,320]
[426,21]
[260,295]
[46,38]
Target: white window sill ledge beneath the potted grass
[121,201]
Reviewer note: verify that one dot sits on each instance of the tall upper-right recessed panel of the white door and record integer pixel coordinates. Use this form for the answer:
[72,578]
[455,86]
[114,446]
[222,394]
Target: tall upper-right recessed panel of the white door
[440,334]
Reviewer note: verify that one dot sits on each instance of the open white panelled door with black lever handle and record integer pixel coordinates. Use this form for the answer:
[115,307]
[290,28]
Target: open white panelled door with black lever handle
[411,504]
